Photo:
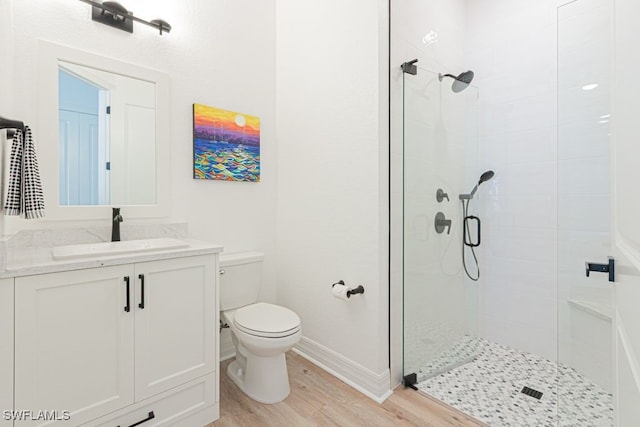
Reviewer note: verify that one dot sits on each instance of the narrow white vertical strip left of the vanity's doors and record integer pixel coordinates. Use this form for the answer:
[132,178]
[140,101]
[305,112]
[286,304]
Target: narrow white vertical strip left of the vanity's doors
[6,351]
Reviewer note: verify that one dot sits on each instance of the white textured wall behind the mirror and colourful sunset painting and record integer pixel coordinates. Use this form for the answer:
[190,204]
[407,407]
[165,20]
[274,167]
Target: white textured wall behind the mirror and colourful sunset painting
[219,53]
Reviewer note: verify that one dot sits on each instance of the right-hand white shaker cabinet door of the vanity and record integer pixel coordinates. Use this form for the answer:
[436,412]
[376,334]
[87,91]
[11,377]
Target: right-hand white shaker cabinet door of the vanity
[174,332]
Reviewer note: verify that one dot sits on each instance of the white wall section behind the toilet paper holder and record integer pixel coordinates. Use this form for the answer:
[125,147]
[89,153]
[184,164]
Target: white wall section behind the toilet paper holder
[332,193]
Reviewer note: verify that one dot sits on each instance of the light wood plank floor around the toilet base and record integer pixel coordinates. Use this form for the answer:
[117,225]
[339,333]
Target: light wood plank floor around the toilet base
[319,399]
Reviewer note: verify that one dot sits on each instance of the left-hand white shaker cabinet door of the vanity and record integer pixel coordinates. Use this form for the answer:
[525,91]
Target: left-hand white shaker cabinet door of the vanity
[73,344]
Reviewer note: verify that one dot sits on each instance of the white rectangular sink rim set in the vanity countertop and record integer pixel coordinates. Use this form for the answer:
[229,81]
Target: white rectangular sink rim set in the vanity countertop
[114,248]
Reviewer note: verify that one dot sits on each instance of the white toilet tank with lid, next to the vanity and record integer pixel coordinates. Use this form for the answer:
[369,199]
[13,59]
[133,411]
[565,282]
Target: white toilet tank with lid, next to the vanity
[240,279]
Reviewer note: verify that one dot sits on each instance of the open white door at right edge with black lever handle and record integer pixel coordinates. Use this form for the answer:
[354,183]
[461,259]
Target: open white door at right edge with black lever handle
[626,211]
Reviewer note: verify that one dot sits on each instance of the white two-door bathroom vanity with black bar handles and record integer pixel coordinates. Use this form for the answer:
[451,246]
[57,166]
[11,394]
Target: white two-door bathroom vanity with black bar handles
[112,339]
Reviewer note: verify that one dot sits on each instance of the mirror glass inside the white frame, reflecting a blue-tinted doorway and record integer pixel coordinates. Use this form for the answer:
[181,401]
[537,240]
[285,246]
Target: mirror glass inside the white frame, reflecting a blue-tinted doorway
[106,138]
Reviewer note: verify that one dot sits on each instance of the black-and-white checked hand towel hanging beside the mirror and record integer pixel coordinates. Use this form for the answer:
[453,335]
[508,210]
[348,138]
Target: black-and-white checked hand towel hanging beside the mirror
[24,194]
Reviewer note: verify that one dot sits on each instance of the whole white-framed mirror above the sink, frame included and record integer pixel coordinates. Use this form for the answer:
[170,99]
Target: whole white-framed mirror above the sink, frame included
[111,148]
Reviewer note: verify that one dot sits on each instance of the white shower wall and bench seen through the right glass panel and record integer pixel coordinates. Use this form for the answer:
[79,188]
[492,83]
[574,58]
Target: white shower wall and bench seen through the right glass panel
[584,187]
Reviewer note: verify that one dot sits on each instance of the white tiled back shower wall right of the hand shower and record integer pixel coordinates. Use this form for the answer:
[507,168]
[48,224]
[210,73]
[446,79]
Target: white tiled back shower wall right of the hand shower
[547,209]
